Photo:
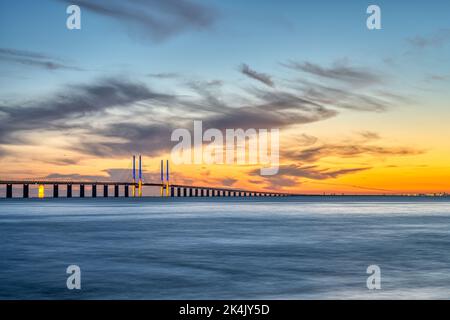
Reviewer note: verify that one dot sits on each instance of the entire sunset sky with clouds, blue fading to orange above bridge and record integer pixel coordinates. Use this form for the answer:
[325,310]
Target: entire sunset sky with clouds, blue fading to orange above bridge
[359,111]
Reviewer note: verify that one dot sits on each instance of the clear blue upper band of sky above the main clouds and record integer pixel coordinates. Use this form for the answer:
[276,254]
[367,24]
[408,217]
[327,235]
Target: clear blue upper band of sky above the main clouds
[261,33]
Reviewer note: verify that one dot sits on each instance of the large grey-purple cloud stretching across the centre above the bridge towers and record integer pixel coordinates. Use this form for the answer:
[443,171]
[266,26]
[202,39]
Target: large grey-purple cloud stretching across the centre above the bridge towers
[151,135]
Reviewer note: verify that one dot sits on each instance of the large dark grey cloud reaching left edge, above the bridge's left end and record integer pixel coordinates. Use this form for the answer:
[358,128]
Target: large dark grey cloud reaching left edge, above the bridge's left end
[78,101]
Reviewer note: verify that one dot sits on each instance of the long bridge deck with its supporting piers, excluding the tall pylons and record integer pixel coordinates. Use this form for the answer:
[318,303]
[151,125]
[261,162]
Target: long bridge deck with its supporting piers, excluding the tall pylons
[173,190]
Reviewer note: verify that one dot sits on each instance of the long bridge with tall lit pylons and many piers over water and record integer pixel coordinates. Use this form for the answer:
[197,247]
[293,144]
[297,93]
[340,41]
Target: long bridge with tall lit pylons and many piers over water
[135,186]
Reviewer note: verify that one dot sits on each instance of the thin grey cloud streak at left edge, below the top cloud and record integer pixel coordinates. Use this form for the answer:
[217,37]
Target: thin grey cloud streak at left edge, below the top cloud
[34,59]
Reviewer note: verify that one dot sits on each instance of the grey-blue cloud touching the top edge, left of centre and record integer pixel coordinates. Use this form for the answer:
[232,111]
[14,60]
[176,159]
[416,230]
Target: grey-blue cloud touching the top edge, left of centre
[157,19]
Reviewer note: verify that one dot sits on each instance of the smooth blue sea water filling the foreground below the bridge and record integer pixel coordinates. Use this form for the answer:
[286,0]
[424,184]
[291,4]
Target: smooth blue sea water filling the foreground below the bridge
[296,248]
